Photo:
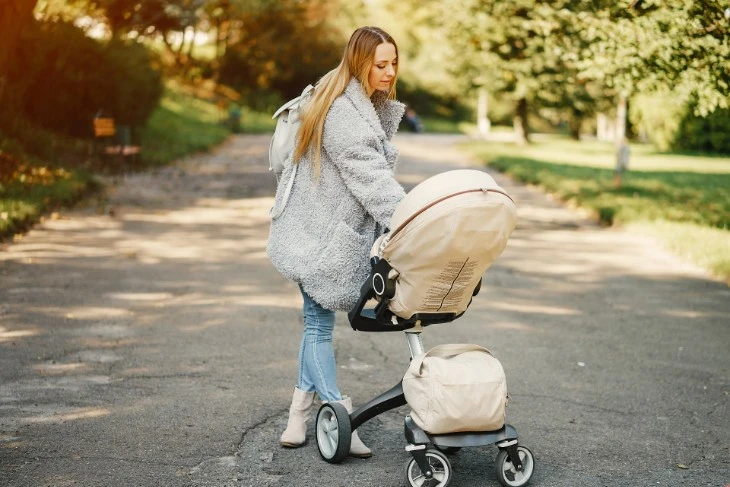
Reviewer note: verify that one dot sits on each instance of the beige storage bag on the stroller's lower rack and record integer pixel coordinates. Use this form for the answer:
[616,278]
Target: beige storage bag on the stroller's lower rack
[456,387]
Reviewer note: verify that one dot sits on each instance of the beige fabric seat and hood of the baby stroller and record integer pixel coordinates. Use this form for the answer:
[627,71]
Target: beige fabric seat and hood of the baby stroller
[445,233]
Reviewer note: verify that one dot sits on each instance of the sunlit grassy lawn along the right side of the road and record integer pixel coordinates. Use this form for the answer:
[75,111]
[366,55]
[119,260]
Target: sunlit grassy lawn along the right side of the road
[682,200]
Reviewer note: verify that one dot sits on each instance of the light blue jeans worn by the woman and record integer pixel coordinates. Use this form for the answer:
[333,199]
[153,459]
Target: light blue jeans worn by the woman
[317,368]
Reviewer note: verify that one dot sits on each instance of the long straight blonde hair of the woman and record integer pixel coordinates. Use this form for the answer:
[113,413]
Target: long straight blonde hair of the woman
[356,62]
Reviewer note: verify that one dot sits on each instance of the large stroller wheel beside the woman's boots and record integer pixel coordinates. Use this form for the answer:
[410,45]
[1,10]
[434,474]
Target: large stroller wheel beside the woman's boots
[334,432]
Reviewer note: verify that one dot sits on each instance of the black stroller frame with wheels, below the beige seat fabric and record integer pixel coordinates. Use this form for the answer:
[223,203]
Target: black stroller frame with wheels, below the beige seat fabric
[428,467]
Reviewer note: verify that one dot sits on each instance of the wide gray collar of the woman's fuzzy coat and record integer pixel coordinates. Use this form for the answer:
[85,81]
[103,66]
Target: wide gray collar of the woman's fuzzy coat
[382,114]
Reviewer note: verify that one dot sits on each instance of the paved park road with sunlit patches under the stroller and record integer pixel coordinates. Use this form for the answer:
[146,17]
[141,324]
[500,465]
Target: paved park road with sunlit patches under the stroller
[147,341]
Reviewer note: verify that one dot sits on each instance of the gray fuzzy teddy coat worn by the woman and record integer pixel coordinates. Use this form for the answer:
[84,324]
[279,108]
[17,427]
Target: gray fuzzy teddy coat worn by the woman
[323,236]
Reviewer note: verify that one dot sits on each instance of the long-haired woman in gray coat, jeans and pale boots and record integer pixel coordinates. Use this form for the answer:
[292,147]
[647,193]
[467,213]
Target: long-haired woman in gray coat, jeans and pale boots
[343,197]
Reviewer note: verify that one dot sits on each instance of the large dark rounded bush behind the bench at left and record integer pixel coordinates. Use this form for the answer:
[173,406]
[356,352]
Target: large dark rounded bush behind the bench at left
[60,79]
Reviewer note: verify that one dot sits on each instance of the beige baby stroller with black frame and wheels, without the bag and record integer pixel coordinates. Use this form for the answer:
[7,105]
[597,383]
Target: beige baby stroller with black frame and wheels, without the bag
[421,275]
